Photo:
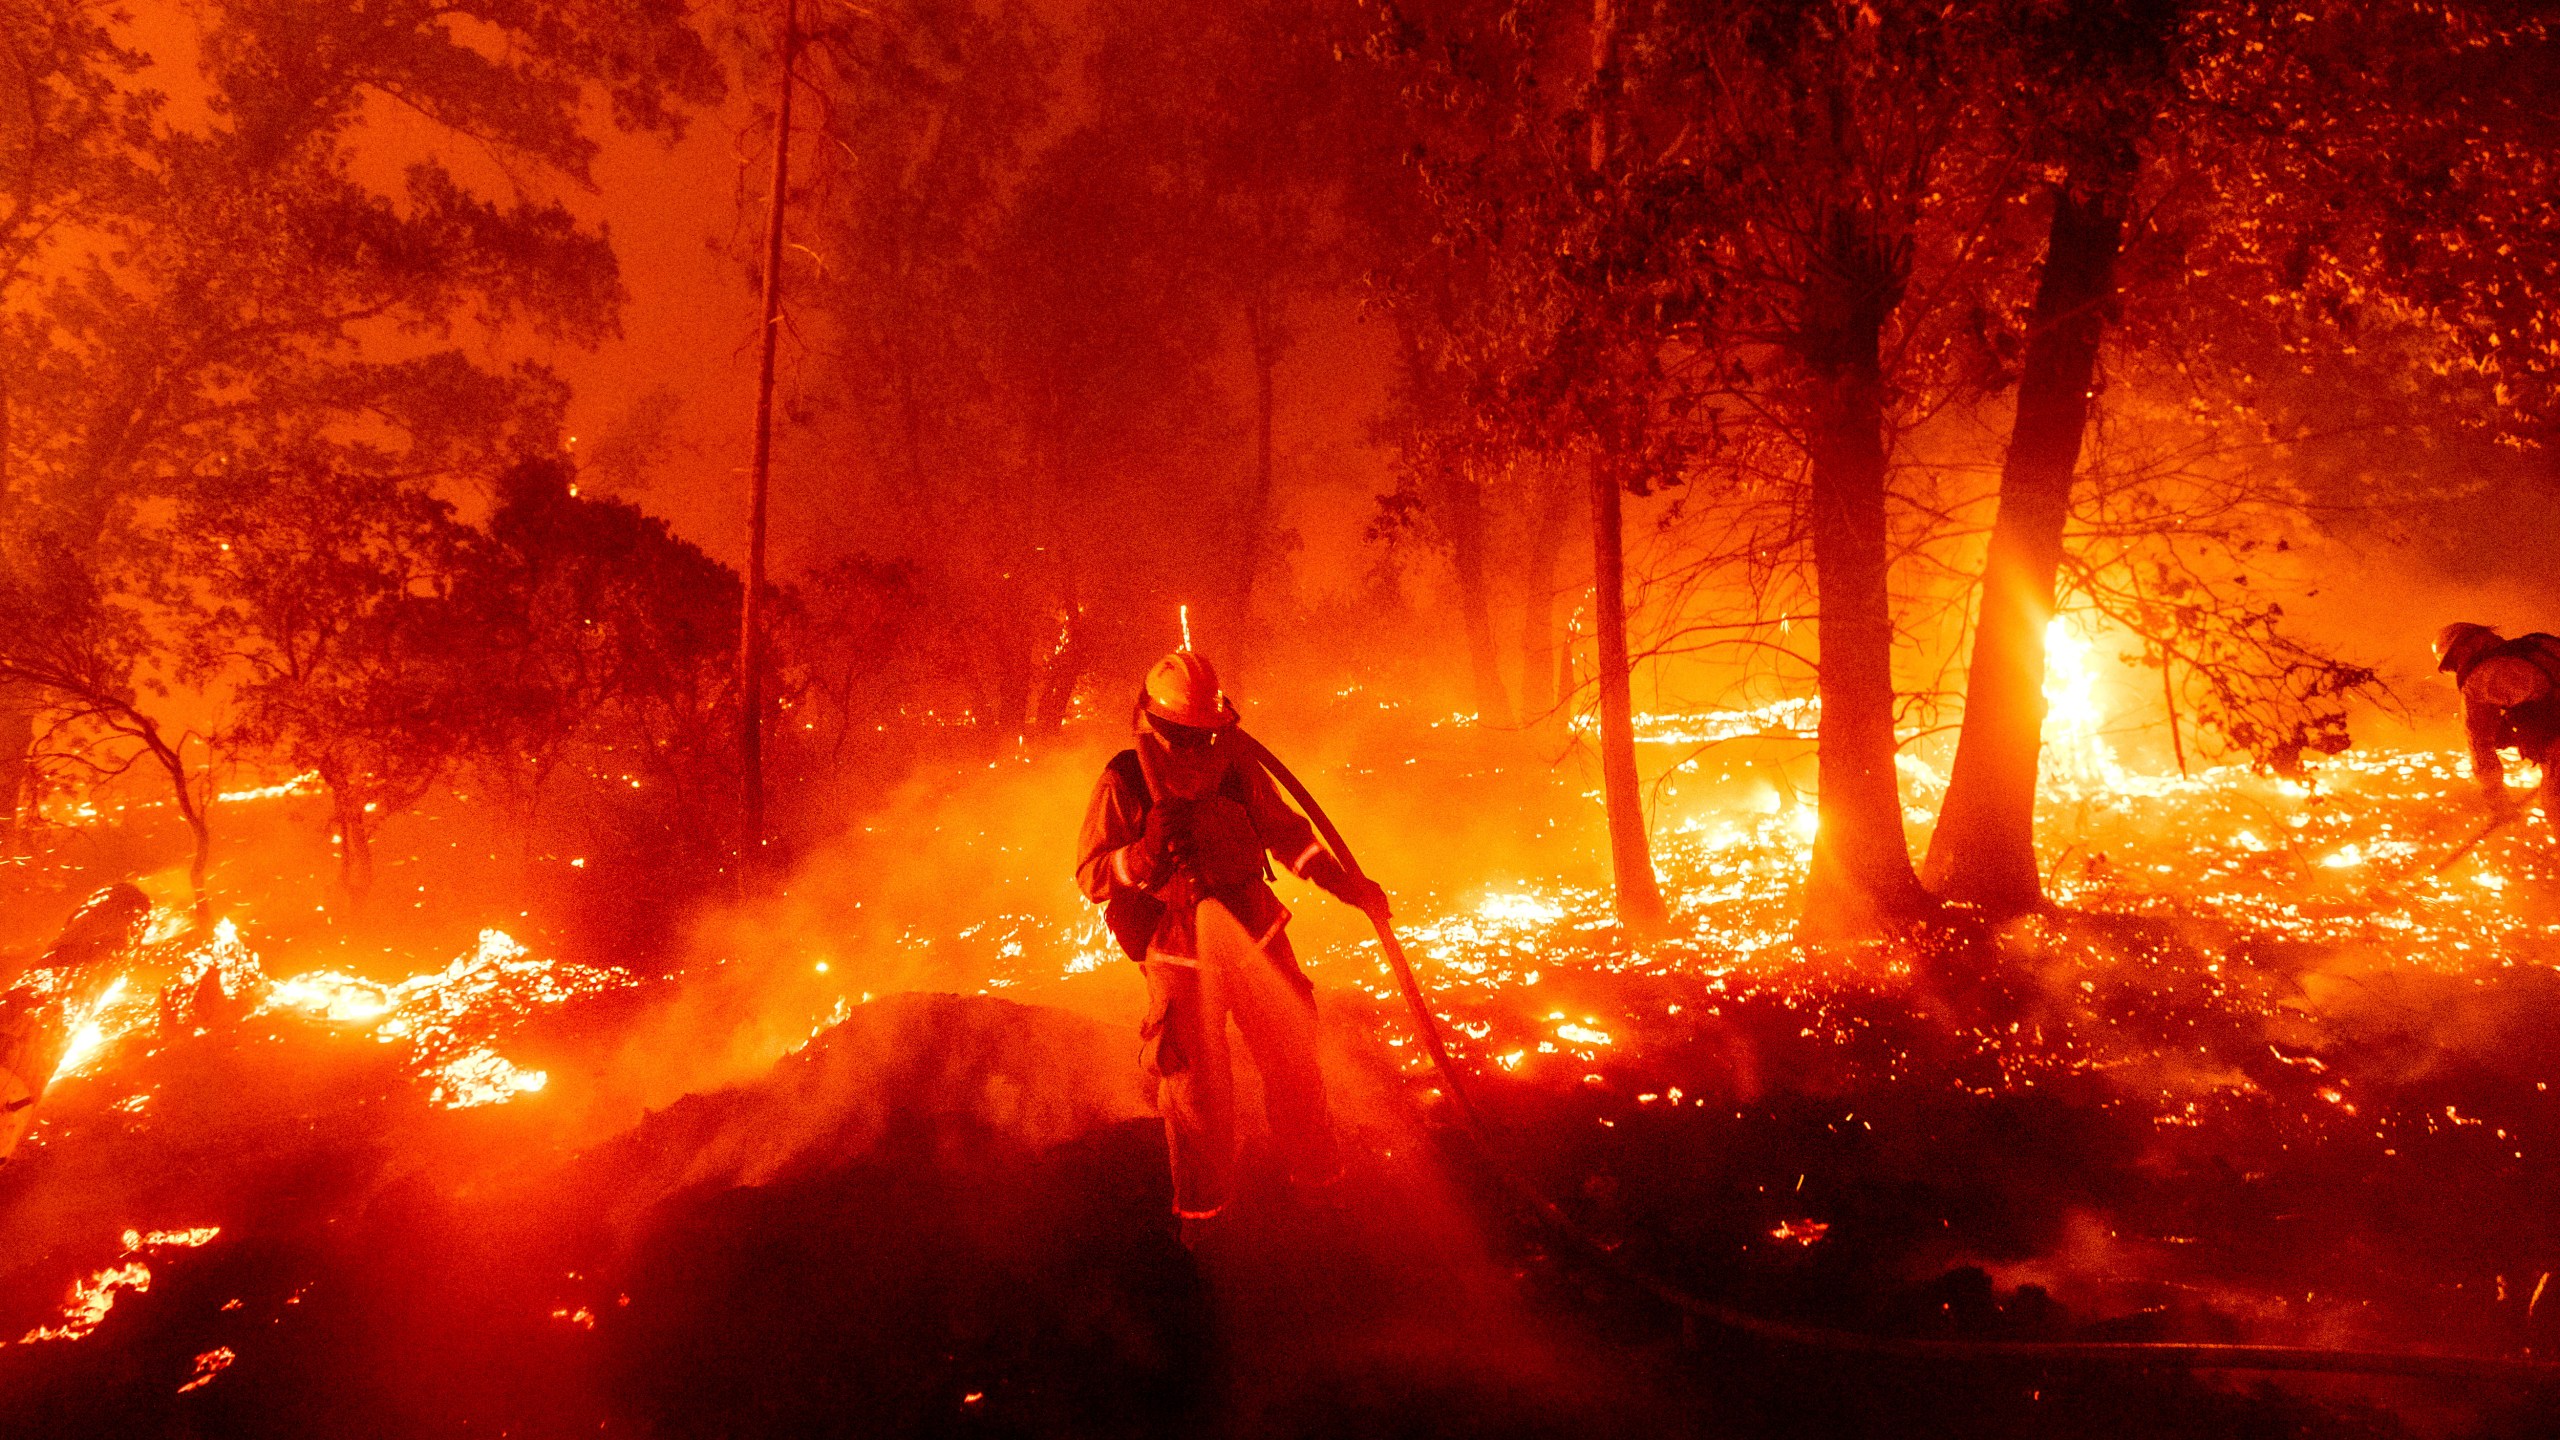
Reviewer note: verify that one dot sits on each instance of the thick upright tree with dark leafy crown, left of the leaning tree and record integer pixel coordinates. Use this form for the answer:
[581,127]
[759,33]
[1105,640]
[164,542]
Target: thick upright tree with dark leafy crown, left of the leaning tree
[1829,186]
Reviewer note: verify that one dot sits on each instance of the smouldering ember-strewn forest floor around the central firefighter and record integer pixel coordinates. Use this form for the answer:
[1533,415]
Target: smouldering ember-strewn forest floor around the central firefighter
[877,1157]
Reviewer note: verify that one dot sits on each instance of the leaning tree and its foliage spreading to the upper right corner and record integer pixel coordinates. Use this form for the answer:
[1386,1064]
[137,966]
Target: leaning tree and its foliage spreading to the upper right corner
[2326,222]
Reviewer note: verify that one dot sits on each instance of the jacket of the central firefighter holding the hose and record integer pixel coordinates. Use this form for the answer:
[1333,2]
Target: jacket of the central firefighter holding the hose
[1238,821]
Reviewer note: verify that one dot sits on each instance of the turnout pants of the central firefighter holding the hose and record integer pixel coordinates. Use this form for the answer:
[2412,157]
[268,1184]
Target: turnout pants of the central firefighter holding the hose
[1187,1054]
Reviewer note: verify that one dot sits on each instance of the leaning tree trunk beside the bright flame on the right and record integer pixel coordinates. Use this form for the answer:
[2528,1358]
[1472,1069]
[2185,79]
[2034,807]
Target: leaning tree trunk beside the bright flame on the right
[1985,844]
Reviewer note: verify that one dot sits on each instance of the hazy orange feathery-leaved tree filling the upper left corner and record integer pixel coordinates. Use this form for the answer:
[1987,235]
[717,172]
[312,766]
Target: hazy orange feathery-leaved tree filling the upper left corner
[219,299]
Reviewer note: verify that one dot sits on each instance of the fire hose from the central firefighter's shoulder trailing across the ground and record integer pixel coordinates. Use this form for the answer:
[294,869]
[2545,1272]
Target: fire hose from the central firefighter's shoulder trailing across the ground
[1701,1311]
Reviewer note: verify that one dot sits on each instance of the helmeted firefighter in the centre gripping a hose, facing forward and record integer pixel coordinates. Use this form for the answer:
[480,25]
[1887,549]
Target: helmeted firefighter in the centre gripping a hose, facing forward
[1179,847]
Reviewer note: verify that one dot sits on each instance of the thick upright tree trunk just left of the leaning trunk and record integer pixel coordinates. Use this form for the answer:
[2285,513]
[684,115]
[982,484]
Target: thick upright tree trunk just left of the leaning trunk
[1862,872]
